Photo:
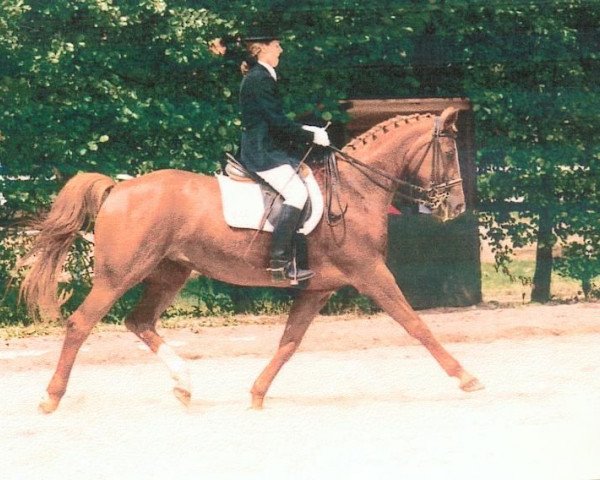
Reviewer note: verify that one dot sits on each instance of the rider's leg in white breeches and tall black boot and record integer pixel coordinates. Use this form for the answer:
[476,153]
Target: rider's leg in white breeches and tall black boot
[286,181]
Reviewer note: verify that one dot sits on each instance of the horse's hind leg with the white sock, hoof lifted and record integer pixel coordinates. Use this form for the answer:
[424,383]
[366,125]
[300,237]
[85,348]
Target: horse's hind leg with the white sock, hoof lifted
[160,290]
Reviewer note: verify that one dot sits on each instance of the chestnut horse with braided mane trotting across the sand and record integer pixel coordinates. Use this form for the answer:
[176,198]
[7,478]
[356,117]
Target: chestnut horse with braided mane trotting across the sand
[159,227]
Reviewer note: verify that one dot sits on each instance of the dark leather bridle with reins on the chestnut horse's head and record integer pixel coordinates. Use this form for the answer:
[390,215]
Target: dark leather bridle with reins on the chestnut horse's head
[433,196]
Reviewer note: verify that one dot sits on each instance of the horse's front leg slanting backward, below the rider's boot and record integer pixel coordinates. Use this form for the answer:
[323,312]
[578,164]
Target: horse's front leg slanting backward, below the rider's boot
[304,309]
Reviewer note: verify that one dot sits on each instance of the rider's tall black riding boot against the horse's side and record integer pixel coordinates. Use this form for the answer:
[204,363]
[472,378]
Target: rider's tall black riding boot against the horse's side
[282,265]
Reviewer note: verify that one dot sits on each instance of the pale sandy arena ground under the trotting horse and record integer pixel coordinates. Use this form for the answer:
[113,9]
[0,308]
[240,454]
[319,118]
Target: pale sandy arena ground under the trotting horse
[360,400]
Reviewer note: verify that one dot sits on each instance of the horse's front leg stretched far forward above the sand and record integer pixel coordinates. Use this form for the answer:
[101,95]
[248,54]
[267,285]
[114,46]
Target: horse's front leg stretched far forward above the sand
[381,286]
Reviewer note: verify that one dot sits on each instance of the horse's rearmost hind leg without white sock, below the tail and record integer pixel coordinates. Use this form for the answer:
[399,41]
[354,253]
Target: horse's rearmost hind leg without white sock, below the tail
[79,325]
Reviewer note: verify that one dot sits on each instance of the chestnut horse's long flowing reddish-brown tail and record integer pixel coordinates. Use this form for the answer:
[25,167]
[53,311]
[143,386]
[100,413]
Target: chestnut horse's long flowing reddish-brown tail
[79,200]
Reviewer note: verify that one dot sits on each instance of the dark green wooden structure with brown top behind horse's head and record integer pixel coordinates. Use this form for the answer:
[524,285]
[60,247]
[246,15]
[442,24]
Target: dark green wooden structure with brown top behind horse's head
[436,264]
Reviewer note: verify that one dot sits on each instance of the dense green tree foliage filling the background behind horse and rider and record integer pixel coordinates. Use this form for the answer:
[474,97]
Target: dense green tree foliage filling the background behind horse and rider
[130,86]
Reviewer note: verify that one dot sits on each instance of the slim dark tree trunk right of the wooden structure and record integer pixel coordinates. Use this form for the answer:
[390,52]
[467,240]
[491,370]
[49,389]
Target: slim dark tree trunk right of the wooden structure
[543,258]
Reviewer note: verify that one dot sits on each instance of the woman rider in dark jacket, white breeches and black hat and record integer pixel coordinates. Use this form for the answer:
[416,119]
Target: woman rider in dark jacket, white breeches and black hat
[265,131]
